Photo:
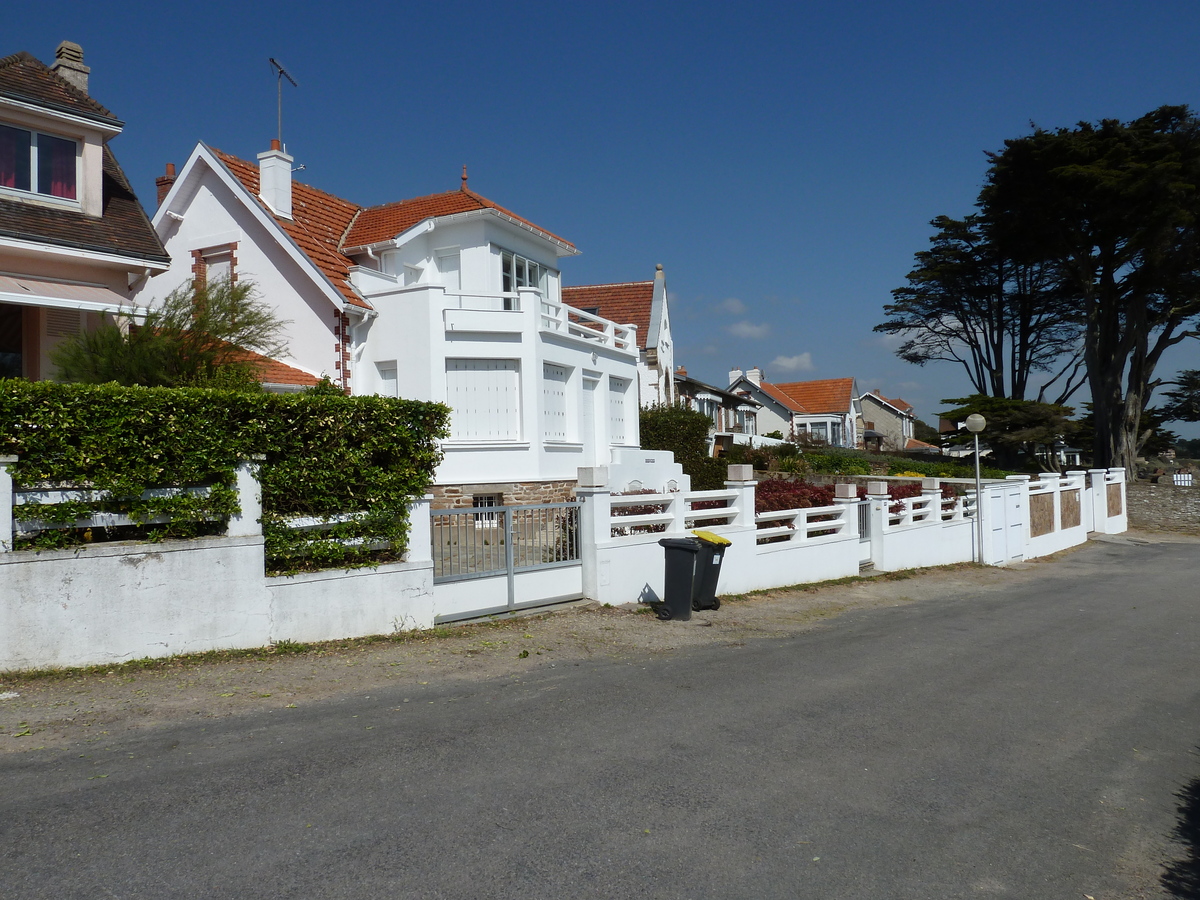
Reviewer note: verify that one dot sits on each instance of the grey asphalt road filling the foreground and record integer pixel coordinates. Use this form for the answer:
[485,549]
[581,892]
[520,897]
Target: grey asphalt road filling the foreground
[1034,746]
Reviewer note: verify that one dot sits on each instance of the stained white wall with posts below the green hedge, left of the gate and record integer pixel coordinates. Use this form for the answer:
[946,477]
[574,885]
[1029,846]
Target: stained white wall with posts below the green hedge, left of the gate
[111,603]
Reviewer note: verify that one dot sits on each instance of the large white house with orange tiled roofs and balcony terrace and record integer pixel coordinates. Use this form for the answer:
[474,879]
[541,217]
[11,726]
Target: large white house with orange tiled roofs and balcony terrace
[446,298]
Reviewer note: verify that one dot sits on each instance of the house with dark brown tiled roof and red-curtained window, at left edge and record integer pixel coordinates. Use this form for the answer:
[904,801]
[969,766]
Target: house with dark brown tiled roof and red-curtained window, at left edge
[75,243]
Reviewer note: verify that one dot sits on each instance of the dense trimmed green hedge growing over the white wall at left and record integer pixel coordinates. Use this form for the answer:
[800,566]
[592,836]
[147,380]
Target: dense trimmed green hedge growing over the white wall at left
[325,455]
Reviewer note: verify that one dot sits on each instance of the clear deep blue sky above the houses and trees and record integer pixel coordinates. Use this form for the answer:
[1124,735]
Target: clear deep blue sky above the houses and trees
[781,160]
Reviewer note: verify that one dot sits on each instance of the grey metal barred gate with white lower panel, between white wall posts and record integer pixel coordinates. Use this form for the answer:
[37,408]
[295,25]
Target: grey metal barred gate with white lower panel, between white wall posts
[496,560]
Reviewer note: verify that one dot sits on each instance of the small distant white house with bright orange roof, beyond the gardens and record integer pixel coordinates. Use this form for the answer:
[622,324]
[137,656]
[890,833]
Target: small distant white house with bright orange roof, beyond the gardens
[825,411]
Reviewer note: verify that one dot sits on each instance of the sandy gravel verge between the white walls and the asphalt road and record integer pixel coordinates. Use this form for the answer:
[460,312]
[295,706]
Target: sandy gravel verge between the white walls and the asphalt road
[79,709]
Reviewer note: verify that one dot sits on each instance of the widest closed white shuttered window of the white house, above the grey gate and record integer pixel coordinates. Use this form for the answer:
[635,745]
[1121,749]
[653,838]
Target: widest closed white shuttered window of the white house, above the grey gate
[485,399]
